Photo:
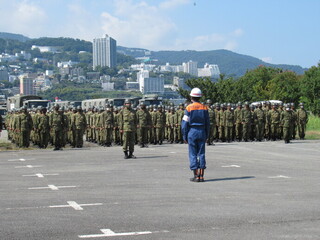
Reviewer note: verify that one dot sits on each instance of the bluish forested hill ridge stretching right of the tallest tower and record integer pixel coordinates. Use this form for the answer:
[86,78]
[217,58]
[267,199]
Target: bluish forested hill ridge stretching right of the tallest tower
[230,63]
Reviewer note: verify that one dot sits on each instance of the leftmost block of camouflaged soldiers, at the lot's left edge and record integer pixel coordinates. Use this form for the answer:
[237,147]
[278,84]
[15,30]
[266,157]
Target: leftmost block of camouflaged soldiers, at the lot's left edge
[41,128]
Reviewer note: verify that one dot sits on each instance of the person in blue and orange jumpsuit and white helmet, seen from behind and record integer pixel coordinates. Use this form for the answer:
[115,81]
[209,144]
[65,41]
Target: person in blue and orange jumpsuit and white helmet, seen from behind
[195,129]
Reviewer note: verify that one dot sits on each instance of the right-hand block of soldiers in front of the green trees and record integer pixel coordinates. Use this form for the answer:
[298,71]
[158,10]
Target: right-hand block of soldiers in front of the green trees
[256,123]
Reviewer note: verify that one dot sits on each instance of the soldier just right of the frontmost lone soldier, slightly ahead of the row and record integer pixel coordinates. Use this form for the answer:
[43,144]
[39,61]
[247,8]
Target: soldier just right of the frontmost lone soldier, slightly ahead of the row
[143,125]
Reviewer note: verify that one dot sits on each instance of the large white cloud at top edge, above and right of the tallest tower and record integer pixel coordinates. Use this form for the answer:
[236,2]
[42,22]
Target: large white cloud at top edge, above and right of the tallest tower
[138,25]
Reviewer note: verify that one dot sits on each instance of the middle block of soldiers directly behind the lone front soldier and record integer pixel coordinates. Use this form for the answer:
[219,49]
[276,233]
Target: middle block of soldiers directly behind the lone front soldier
[154,125]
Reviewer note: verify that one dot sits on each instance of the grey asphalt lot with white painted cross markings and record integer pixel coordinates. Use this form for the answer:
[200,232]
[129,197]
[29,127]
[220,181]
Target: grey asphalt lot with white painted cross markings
[255,190]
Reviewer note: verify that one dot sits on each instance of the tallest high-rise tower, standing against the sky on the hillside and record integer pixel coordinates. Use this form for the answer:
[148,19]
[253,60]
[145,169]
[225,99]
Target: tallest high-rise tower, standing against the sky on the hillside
[104,52]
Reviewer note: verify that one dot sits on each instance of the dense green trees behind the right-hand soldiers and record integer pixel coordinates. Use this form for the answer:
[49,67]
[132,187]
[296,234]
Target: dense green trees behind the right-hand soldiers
[261,84]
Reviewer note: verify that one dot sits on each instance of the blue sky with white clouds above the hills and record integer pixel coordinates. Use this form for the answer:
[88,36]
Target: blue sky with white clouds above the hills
[276,31]
